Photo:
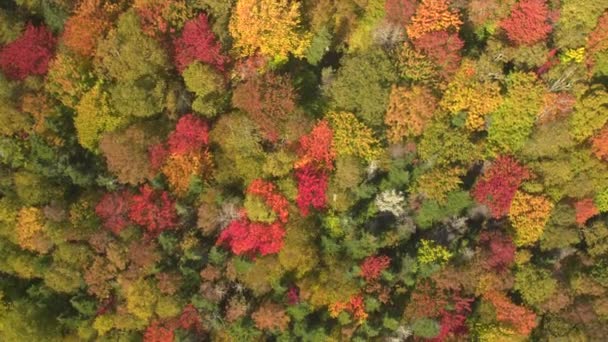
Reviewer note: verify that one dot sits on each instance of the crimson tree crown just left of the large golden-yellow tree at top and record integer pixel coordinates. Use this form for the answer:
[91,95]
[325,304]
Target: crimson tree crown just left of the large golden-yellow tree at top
[197,43]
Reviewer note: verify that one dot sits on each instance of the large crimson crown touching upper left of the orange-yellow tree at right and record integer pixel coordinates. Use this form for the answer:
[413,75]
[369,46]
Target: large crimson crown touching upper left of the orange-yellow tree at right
[498,185]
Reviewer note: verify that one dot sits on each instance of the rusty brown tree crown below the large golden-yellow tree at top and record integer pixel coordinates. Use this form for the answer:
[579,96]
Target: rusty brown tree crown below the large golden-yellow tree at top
[269,100]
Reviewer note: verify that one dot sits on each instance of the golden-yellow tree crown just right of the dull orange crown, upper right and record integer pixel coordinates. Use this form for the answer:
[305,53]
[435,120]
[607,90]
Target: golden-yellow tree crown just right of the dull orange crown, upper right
[467,94]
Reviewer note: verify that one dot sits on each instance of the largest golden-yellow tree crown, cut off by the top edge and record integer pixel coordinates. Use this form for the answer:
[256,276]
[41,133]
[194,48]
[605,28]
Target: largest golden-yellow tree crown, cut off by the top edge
[269,27]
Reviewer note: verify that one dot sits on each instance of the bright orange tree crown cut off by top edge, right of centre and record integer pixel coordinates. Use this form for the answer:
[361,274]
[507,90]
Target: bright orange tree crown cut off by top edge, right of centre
[432,15]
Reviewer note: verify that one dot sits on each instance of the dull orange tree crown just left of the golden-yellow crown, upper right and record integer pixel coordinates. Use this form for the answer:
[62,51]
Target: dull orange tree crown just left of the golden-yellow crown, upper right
[408,112]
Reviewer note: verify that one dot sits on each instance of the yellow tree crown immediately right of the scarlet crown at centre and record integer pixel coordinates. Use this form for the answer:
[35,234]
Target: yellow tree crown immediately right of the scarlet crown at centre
[352,137]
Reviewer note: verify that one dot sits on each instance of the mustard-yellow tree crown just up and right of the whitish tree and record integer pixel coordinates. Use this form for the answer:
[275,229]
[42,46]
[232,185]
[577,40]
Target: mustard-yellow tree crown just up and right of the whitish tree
[438,182]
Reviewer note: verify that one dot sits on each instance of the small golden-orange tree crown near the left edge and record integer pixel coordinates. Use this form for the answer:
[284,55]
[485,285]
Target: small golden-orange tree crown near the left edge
[30,230]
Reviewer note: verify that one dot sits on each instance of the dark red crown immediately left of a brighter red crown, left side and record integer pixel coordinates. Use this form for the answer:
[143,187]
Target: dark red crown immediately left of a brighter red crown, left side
[113,209]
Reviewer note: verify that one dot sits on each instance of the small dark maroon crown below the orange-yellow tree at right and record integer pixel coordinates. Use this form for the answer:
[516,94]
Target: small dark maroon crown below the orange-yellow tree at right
[501,250]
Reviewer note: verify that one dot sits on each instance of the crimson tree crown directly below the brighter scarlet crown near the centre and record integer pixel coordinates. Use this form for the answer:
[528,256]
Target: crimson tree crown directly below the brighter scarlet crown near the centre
[312,188]
